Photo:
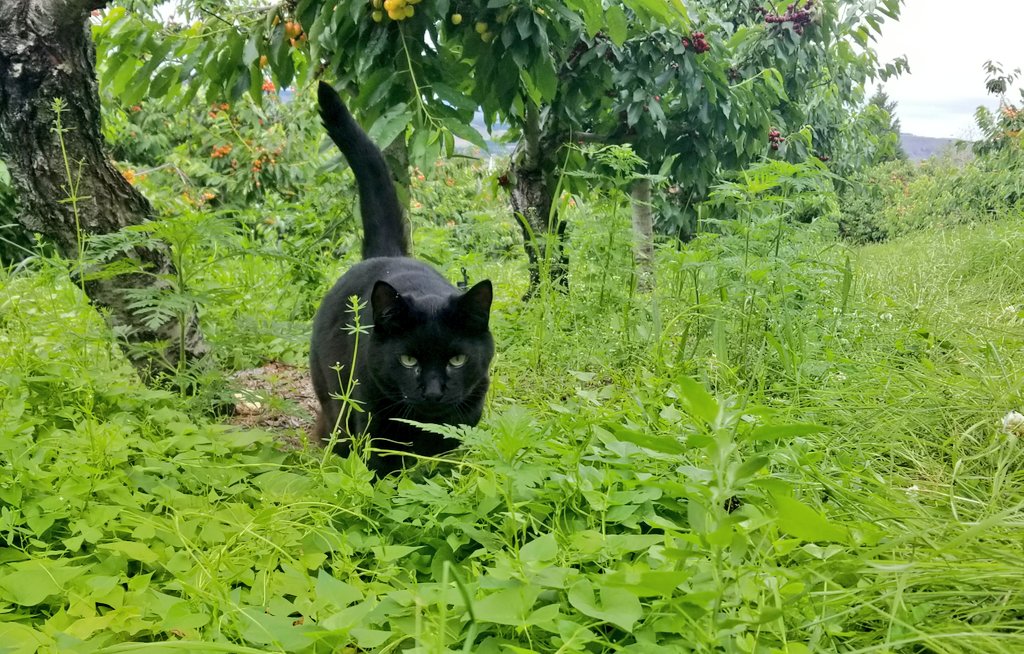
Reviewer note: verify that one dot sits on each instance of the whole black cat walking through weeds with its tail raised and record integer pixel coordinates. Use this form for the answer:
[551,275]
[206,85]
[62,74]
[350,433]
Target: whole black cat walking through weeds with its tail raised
[414,313]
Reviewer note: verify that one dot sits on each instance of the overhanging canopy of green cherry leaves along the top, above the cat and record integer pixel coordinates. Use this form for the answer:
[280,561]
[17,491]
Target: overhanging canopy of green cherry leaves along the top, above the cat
[549,70]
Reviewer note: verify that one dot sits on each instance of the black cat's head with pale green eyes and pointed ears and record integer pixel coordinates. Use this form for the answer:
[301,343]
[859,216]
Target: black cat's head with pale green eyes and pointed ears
[432,357]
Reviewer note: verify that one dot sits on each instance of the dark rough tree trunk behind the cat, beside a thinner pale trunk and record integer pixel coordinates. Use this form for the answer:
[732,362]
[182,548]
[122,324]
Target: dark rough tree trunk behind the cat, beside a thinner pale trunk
[532,204]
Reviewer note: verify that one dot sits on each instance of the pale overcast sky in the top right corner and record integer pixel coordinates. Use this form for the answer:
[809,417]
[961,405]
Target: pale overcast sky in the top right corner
[947,43]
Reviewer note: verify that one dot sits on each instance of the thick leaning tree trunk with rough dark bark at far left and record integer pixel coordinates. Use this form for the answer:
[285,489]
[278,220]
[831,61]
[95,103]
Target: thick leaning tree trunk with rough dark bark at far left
[47,53]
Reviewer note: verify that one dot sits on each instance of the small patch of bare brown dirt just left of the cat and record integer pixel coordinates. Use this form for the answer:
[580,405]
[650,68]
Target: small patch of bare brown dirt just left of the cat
[276,398]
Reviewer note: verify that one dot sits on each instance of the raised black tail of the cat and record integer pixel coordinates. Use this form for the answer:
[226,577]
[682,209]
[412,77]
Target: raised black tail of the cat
[383,227]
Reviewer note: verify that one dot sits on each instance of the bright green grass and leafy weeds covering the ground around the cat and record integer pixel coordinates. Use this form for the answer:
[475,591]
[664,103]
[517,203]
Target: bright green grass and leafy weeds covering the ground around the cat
[792,454]
